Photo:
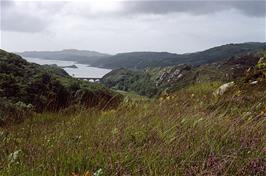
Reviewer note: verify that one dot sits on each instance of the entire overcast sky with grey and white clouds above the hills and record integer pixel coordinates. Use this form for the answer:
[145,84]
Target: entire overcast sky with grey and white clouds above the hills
[123,26]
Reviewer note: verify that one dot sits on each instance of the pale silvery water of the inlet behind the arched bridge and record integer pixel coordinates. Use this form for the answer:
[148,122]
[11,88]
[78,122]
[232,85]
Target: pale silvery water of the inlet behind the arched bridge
[82,70]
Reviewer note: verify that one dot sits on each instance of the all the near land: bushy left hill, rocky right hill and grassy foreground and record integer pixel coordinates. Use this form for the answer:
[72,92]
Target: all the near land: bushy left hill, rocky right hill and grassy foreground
[66,127]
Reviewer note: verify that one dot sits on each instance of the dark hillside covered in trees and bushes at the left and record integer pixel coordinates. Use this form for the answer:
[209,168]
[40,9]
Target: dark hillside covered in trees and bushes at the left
[27,87]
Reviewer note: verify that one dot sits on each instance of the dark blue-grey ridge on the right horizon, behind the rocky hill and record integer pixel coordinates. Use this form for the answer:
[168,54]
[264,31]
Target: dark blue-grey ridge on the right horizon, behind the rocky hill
[141,60]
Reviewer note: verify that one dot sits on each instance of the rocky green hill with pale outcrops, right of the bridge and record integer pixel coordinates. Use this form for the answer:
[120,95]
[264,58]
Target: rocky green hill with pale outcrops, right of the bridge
[155,80]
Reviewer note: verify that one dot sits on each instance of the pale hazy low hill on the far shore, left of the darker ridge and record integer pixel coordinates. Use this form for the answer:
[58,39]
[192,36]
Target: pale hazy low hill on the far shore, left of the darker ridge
[80,56]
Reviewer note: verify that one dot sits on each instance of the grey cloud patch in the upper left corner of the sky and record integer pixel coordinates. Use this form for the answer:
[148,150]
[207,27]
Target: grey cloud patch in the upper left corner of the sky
[18,17]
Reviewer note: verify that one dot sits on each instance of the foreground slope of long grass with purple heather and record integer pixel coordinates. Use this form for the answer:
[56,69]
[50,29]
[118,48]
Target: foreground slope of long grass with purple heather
[186,133]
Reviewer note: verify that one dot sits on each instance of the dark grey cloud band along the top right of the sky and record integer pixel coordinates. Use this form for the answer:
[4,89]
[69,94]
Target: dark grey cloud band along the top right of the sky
[250,8]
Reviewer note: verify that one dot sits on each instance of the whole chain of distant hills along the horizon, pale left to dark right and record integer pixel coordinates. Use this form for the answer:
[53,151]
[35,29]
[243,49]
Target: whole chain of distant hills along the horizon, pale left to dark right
[142,60]
